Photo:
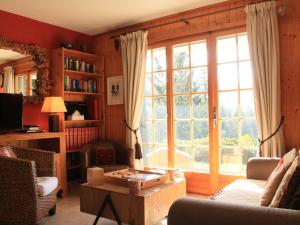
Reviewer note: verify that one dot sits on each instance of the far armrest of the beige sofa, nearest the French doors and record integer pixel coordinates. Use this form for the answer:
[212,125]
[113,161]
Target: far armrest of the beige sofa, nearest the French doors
[261,168]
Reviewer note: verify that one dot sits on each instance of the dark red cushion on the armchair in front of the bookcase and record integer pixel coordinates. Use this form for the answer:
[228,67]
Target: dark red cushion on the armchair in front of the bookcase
[104,154]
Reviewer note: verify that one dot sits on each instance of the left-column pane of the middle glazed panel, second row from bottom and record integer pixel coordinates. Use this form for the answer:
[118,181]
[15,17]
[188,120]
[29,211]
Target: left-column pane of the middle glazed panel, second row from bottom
[183,132]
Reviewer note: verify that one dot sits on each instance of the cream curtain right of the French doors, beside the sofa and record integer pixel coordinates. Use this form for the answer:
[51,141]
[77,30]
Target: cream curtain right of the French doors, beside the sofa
[262,28]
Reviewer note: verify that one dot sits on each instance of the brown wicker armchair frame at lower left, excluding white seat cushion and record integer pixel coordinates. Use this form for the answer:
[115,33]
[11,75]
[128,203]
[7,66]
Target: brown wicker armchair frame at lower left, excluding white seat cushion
[19,198]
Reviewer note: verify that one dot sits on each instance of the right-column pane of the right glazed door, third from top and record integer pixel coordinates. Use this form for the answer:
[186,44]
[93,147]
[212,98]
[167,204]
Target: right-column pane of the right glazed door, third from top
[247,104]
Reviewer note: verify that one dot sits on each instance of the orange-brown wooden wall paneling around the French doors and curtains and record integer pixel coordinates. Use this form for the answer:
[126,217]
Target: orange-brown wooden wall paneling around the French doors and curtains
[289,31]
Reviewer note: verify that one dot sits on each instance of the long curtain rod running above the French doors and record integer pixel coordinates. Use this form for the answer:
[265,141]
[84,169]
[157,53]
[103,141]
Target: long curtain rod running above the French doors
[186,20]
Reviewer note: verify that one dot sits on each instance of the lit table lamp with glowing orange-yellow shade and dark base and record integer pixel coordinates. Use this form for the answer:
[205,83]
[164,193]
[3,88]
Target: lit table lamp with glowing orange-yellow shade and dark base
[53,105]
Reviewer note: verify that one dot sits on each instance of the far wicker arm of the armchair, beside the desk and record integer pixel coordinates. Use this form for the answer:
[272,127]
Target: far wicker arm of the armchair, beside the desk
[44,160]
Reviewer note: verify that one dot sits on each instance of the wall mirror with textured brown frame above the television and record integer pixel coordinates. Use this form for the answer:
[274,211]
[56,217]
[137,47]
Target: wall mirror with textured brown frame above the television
[24,68]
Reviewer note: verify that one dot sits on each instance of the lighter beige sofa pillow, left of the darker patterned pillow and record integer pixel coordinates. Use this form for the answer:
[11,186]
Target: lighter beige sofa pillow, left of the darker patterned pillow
[276,177]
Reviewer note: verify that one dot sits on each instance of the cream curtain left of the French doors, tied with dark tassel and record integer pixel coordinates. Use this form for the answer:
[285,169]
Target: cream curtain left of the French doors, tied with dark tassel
[134,51]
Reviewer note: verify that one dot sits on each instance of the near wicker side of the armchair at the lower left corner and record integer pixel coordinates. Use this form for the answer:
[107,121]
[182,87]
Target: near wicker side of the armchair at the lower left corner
[18,191]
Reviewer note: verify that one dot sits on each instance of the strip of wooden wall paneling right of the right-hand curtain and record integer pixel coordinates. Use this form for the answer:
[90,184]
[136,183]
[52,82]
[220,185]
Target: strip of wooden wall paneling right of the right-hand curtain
[289,35]
